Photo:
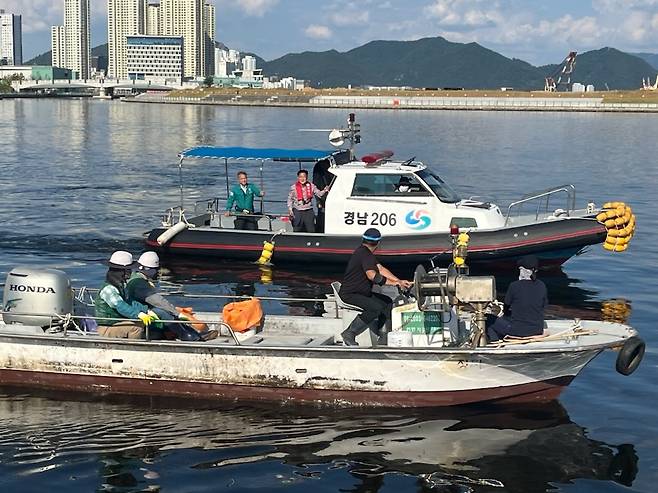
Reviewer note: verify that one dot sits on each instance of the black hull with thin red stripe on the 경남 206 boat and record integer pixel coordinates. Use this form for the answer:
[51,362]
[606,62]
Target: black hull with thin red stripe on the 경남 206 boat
[554,242]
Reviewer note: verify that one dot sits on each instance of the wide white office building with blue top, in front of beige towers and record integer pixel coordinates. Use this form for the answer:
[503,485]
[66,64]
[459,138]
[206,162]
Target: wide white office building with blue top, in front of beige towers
[155,58]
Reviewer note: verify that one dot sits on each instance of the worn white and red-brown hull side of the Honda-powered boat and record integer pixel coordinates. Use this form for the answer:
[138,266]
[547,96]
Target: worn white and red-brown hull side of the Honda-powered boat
[328,375]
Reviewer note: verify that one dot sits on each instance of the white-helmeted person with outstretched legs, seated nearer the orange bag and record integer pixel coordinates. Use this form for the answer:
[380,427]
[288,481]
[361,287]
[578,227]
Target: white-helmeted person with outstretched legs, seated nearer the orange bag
[140,288]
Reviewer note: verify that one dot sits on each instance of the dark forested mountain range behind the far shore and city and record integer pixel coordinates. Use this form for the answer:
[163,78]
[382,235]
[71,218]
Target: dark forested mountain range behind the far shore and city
[437,62]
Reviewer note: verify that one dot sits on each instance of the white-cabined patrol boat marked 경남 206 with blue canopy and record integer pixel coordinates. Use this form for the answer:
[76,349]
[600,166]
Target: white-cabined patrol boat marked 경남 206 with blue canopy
[406,200]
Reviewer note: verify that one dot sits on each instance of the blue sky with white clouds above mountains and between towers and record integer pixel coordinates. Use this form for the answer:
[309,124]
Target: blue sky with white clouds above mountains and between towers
[539,32]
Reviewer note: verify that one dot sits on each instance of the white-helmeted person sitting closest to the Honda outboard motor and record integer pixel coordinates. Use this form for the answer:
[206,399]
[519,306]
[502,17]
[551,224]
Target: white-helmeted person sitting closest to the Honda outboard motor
[111,305]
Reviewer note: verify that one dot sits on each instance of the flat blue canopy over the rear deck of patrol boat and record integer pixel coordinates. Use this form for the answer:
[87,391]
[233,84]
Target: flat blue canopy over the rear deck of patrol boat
[246,153]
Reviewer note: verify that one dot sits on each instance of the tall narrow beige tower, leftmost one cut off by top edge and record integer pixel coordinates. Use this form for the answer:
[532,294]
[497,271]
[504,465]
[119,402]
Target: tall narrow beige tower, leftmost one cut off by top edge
[77,49]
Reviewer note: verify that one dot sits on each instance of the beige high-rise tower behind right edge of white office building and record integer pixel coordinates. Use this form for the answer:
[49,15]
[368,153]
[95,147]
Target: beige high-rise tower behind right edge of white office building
[194,20]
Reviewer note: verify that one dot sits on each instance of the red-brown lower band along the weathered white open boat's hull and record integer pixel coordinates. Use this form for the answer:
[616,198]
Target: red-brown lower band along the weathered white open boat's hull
[531,392]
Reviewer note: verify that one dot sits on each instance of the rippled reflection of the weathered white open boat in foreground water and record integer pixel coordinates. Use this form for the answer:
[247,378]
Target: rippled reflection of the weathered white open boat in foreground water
[148,445]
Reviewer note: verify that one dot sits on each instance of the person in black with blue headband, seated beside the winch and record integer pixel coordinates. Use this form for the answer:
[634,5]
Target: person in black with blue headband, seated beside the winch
[362,273]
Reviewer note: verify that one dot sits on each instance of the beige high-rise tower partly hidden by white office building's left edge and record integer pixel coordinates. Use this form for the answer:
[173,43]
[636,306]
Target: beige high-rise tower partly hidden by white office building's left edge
[124,18]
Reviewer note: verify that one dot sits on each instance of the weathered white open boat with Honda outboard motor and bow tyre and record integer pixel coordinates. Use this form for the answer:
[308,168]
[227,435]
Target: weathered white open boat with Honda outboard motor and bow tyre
[436,355]
